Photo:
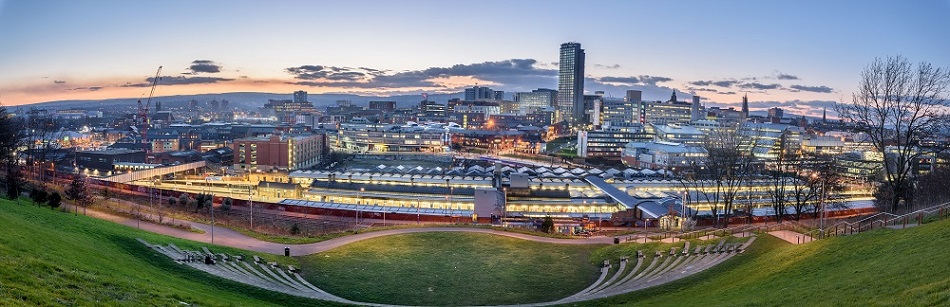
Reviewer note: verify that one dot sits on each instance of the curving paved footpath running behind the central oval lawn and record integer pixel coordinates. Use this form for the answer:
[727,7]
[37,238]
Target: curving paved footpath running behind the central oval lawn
[228,237]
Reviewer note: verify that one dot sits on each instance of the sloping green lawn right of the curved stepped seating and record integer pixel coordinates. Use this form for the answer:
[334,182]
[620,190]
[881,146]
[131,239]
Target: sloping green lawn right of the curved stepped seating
[909,267]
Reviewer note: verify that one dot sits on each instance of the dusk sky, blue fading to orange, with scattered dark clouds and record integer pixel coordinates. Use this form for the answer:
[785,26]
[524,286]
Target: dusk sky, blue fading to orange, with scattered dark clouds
[800,55]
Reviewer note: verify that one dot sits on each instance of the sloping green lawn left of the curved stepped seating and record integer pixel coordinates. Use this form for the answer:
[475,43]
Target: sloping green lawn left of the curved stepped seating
[53,258]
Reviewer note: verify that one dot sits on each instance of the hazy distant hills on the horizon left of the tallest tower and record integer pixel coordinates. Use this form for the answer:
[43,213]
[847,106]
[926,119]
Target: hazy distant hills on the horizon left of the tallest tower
[240,100]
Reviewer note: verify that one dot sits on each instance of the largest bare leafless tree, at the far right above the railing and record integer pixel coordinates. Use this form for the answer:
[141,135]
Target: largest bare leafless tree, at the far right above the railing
[898,106]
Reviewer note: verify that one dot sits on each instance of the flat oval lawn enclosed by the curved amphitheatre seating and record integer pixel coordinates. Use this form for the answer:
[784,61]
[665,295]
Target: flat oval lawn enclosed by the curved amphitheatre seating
[451,269]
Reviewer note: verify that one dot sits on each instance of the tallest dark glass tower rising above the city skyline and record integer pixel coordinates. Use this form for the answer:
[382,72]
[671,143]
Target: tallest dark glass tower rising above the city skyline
[570,96]
